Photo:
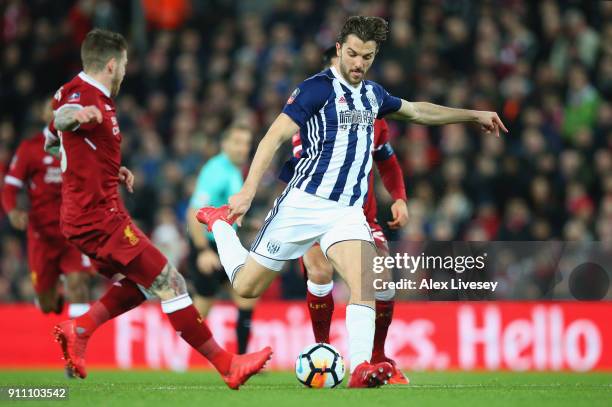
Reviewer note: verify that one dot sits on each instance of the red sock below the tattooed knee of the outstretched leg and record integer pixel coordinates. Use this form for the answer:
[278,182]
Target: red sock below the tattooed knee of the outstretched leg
[194,331]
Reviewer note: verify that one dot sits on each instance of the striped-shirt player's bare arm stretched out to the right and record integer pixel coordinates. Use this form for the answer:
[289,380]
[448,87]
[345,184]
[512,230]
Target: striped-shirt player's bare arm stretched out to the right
[432,114]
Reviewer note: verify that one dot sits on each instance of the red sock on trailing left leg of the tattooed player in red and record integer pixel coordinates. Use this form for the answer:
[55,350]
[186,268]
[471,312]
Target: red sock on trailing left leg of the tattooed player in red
[121,297]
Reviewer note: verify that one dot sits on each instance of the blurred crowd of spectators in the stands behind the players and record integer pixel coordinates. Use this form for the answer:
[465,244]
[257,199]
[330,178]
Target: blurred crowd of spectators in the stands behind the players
[197,66]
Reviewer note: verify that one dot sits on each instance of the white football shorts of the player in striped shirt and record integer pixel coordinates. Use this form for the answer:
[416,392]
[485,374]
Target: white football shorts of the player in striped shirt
[298,220]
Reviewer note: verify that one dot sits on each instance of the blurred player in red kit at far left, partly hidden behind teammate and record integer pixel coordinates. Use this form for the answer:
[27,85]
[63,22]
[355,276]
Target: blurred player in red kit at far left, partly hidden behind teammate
[49,253]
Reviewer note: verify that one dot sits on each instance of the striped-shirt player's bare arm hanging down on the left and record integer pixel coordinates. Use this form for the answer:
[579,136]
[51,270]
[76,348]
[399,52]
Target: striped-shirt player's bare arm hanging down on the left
[280,131]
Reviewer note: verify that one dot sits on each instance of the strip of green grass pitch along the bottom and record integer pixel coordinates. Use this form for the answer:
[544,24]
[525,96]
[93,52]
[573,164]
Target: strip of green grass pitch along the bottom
[279,389]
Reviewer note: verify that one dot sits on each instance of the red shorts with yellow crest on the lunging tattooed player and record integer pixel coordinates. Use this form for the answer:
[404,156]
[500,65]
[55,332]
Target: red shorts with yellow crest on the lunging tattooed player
[116,245]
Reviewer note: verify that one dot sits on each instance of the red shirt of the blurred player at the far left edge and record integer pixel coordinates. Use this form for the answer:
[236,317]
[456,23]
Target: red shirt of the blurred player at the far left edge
[40,174]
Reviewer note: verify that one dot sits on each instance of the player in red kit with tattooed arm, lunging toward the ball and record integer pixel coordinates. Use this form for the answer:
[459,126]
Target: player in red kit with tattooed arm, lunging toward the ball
[94,219]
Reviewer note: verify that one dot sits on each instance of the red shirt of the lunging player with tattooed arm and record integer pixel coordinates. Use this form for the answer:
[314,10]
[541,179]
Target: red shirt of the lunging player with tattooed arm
[90,155]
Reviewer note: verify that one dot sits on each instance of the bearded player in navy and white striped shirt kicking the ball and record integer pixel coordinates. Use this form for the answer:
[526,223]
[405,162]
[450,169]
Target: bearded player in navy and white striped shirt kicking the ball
[334,112]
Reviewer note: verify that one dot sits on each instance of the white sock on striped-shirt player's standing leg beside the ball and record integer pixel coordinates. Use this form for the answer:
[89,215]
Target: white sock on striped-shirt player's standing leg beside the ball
[360,327]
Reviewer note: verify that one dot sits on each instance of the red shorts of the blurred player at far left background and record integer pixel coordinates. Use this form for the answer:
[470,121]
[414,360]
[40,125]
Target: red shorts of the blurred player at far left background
[50,257]
